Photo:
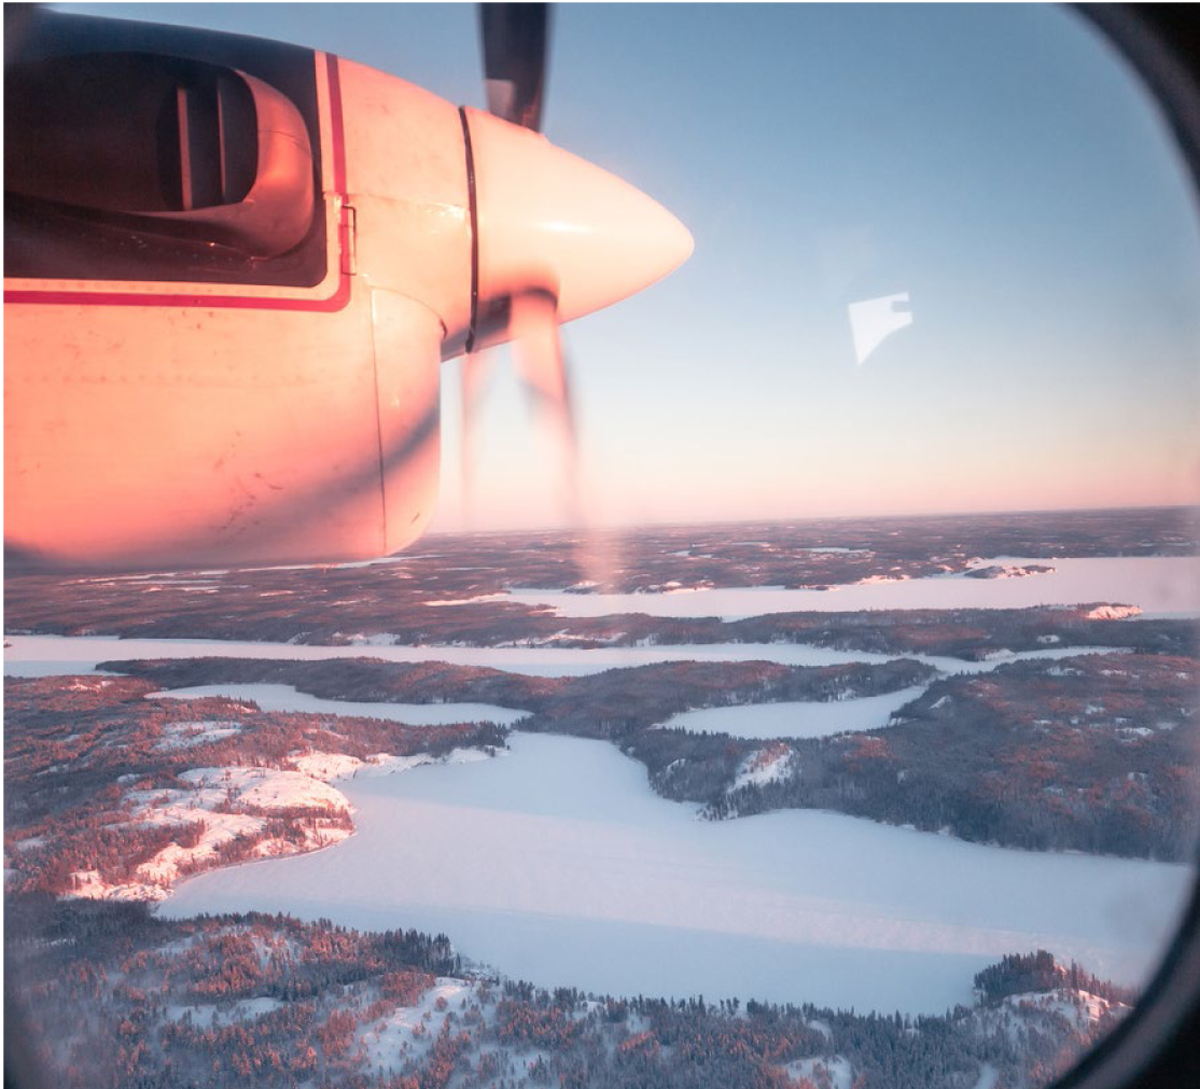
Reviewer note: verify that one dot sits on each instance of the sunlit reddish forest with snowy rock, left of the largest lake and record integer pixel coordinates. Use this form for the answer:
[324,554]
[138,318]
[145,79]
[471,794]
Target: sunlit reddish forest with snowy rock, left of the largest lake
[87,759]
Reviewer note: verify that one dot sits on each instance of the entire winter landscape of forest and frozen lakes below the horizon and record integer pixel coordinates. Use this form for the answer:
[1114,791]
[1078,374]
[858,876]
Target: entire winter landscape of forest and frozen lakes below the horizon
[893,803]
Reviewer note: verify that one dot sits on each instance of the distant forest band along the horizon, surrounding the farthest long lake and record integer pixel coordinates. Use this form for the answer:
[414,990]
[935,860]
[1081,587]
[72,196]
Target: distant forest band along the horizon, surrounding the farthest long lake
[332,605]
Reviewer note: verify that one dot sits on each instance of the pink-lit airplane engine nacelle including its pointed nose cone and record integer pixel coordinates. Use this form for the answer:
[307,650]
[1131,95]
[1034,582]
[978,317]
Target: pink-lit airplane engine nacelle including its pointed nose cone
[232,270]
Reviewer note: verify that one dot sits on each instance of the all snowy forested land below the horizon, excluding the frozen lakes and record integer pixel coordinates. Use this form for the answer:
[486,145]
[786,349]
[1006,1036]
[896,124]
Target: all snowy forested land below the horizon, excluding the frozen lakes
[112,795]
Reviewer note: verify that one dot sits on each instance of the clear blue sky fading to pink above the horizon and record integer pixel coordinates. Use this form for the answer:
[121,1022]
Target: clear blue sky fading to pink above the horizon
[994,164]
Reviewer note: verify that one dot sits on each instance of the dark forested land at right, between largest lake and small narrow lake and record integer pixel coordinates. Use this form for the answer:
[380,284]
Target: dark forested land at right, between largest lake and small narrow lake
[1094,754]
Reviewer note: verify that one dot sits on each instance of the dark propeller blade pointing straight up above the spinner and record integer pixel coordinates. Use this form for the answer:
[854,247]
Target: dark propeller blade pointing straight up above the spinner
[515,61]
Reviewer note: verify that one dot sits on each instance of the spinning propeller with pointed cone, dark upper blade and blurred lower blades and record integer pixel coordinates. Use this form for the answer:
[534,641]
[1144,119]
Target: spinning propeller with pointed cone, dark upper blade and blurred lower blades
[557,237]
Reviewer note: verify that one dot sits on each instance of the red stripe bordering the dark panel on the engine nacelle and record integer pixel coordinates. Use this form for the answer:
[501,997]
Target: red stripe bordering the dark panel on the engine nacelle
[339,300]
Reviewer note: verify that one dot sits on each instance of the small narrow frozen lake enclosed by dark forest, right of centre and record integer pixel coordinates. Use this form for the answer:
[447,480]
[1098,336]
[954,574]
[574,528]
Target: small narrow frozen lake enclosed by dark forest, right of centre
[801,719]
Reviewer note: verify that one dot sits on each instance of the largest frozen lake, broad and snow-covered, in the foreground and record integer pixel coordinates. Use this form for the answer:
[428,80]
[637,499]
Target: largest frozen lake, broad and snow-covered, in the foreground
[557,864]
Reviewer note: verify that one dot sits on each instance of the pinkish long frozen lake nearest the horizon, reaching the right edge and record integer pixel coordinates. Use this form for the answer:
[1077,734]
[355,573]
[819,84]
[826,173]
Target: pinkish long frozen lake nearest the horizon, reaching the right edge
[1165,586]
